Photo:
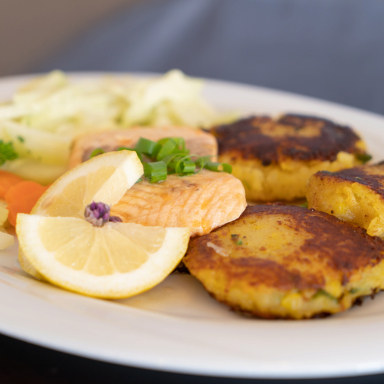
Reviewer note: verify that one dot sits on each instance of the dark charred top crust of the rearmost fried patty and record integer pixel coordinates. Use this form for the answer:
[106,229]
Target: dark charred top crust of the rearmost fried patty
[294,137]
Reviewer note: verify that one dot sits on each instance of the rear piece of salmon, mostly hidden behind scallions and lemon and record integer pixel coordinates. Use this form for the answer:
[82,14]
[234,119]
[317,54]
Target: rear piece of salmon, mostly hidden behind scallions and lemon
[197,141]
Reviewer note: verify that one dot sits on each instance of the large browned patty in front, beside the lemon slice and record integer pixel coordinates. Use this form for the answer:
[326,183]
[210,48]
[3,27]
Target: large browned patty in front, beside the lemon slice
[281,261]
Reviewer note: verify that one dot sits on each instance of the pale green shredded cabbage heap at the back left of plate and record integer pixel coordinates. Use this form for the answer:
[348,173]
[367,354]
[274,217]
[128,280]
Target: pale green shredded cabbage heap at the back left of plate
[46,114]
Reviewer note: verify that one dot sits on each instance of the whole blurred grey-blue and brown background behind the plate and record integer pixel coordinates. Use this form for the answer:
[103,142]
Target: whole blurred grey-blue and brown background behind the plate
[329,49]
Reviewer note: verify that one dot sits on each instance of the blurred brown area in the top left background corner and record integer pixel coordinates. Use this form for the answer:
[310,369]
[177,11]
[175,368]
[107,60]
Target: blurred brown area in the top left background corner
[33,30]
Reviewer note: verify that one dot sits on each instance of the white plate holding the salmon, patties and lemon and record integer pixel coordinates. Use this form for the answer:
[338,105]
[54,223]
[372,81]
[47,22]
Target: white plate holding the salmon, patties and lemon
[177,326]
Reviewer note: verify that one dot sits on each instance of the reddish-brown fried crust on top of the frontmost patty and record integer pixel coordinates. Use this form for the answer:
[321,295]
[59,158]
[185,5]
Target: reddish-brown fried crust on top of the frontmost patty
[343,247]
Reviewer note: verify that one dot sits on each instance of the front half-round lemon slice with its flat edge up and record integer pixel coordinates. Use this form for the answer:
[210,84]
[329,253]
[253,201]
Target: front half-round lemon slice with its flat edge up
[114,261]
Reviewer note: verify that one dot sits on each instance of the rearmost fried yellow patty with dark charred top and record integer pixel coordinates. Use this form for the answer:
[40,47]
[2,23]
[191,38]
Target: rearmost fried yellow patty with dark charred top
[274,158]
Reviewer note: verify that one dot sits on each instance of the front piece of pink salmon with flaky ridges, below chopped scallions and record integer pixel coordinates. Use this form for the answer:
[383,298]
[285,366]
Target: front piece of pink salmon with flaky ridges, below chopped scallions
[201,202]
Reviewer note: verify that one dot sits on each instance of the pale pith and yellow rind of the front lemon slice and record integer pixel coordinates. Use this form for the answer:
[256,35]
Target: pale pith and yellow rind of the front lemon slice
[117,286]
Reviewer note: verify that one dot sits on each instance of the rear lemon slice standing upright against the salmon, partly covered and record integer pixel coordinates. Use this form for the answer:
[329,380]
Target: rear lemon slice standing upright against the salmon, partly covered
[103,178]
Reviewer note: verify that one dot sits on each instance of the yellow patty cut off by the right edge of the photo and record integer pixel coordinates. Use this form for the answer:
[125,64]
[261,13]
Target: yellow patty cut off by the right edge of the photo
[355,195]
